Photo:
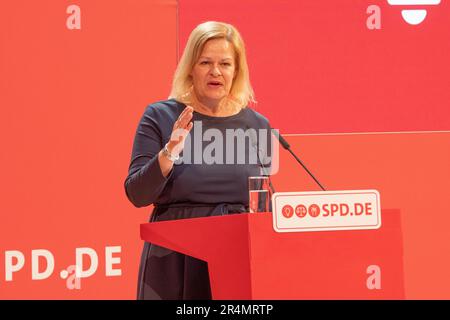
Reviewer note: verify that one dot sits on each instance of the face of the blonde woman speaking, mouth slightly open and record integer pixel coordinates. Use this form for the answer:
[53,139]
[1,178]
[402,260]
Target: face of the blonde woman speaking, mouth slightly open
[213,73]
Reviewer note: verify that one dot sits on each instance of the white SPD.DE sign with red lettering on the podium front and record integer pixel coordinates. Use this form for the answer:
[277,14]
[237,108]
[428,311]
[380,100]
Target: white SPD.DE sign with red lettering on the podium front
[326,210]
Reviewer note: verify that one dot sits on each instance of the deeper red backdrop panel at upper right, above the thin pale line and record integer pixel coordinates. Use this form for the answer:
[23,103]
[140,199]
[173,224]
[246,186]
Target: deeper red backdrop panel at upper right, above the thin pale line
[316,67]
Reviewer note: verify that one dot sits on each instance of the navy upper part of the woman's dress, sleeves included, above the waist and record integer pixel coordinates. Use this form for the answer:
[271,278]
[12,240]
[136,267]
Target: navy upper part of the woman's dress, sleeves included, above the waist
[225,182]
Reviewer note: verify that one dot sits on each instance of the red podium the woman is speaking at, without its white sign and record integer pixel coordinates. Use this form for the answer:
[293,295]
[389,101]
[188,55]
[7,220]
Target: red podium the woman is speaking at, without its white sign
[248,260]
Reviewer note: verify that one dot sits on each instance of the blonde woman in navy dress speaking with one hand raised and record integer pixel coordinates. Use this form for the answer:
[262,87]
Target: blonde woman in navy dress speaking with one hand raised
[211,89]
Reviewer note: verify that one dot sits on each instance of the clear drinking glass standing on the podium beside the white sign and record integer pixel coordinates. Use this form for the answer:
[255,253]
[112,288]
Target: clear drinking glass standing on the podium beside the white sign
[259,194]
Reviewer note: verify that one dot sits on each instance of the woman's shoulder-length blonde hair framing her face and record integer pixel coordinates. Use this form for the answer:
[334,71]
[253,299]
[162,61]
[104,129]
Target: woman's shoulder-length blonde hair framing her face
[241,90]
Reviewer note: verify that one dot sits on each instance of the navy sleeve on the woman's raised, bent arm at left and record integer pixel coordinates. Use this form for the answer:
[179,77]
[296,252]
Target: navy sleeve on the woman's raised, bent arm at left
[145,181]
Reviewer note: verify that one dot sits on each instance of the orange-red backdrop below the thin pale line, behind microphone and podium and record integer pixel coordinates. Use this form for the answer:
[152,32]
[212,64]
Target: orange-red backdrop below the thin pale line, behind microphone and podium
[411,172]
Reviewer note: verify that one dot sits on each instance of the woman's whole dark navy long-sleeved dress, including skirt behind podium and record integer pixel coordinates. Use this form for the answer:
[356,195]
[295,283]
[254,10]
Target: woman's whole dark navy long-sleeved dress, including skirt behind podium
[192,189]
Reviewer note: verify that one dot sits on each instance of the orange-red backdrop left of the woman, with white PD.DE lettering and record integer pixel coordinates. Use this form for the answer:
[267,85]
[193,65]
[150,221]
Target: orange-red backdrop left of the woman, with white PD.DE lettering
[70,103]
